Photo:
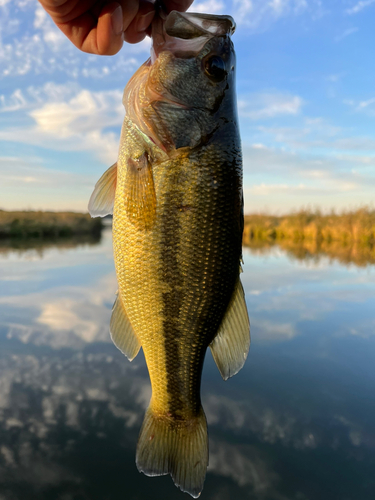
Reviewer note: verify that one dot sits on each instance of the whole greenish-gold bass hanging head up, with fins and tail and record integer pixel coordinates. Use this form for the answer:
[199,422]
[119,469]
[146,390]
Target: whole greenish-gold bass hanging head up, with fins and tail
[177,201]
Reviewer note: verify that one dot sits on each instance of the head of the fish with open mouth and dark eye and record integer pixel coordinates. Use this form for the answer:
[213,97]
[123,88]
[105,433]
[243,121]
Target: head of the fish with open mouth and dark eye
[186,90]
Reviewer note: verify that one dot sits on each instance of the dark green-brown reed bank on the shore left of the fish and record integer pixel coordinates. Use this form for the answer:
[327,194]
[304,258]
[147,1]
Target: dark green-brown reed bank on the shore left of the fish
[40,224]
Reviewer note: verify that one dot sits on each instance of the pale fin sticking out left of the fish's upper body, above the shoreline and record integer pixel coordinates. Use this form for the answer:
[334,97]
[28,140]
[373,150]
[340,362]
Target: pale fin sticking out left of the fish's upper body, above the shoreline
[103,197]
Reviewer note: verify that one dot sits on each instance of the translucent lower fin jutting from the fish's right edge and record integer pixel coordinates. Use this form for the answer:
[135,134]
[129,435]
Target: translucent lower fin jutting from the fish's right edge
[231,344]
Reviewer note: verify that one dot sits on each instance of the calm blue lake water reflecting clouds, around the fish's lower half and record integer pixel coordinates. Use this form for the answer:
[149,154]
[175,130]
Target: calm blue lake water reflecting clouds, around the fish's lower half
[297,423]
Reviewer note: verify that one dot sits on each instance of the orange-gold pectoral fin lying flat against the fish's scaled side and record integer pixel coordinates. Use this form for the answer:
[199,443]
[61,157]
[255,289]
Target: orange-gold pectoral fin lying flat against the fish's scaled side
[140,192]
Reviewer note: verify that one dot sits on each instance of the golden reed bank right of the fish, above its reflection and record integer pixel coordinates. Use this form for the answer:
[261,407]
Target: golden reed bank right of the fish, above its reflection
[347,227]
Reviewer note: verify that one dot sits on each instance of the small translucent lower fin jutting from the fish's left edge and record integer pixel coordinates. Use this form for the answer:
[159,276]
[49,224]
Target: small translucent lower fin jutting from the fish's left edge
[122,332]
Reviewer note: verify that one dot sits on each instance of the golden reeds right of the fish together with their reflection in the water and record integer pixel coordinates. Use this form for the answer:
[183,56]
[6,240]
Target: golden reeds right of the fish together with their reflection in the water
[348,237]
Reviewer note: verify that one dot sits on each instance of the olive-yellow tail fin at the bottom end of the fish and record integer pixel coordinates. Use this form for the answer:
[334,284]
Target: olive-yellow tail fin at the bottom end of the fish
[178,448]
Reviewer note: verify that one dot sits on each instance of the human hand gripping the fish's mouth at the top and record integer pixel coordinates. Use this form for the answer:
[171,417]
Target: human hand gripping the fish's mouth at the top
[100,27]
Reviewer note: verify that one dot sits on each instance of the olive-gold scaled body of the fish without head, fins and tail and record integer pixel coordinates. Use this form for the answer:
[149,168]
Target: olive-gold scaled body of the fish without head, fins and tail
[174,248]
